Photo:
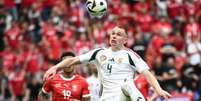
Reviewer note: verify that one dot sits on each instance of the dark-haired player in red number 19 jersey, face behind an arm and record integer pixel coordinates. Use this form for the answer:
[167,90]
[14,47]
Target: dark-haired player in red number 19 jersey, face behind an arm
[66,86]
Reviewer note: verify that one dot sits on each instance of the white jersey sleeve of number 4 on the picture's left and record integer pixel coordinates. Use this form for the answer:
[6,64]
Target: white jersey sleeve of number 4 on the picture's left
[89,56]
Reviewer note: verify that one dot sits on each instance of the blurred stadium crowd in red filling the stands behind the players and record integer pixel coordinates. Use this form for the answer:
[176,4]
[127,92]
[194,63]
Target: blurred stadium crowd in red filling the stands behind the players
[34,33]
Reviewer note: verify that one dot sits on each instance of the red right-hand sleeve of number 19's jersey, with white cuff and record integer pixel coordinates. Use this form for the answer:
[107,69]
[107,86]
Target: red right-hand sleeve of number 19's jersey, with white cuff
[85,91]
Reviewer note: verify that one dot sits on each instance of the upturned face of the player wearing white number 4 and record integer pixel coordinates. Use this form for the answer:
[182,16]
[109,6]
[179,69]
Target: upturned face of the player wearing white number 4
[118,37]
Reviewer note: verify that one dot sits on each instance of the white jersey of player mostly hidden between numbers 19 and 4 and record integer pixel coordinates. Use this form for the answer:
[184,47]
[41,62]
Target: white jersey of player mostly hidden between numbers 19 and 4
[94,87]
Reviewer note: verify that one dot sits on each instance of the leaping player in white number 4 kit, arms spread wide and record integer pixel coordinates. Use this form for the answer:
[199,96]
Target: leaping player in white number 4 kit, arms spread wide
[116,66]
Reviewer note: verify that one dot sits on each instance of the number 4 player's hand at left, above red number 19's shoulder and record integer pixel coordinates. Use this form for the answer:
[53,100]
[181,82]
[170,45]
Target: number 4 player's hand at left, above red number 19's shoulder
[50,73]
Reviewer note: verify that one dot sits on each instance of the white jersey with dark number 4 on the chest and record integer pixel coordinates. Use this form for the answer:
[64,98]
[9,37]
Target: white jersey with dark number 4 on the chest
[114,68]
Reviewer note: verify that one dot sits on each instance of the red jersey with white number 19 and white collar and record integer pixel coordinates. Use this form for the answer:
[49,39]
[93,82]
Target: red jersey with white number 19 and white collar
[64,89]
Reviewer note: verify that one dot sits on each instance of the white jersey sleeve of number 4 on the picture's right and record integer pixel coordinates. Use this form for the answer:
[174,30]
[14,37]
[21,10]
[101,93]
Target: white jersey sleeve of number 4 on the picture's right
[137,62]
